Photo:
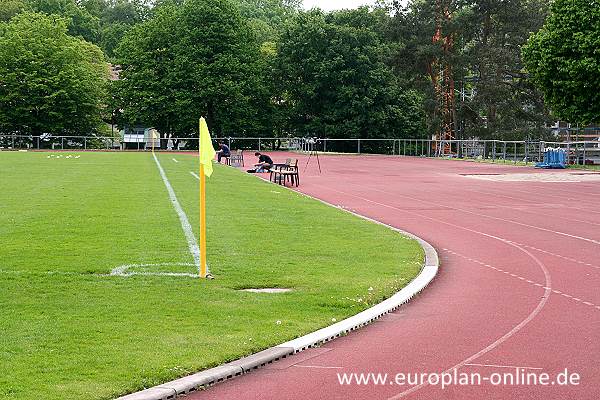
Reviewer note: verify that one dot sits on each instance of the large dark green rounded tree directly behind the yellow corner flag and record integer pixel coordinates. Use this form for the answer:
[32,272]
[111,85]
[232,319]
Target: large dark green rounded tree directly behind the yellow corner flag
[196,58]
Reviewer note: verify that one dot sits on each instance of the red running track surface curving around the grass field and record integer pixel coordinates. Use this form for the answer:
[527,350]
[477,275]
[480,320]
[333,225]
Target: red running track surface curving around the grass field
[518,285]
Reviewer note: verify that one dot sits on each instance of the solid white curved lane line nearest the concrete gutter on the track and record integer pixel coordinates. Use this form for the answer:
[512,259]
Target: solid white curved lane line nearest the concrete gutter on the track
[507,335]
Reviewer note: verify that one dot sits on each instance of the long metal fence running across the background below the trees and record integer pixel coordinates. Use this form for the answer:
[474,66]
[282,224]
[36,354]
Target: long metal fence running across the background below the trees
[579,152]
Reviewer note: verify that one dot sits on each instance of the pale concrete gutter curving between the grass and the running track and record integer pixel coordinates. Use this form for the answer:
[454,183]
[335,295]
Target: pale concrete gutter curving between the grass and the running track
[204,379]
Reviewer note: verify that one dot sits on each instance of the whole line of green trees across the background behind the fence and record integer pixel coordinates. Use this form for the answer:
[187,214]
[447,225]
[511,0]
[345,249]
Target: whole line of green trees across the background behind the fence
[481,68]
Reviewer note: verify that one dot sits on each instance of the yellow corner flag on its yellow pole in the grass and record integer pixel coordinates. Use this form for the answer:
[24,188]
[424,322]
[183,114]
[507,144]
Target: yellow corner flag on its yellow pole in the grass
[207,154]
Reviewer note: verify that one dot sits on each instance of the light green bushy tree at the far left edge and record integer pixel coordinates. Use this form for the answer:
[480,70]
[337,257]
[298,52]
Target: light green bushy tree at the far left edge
[50,82]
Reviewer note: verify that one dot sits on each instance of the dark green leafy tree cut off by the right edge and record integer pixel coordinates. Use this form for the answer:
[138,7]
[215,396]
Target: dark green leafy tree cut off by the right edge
[563,58]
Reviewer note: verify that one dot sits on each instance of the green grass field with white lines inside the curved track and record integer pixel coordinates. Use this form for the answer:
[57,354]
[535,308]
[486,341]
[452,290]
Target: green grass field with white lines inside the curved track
[71,331]
